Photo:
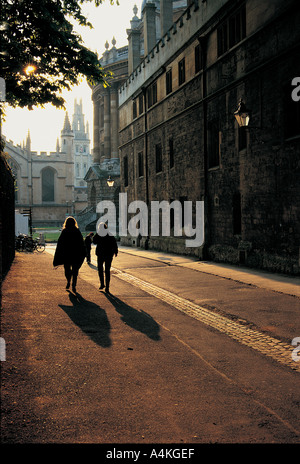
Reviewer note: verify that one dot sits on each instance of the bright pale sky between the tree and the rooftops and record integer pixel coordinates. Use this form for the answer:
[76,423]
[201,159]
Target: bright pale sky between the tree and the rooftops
[45,124]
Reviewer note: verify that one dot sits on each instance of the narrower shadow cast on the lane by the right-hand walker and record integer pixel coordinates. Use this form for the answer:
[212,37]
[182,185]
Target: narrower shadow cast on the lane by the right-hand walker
[135,318]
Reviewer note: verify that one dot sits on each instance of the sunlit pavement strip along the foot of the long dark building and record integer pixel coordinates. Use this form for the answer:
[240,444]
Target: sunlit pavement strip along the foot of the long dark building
[279,283]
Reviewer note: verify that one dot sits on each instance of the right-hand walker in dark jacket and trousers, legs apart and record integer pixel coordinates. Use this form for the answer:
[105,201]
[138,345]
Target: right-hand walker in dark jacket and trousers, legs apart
[106,248]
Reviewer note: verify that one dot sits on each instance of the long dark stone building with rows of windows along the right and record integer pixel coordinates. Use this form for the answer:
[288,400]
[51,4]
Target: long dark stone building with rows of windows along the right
[179,139]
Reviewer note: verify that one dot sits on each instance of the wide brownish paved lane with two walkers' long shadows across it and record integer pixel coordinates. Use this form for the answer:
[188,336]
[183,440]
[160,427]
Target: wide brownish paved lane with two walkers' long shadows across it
[129,368]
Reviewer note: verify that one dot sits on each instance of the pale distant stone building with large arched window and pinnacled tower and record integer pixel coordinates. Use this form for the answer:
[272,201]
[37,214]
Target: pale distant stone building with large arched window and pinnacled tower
[52,184]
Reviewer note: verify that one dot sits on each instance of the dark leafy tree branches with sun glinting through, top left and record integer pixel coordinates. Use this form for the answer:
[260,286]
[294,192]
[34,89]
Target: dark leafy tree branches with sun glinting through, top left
[41,54]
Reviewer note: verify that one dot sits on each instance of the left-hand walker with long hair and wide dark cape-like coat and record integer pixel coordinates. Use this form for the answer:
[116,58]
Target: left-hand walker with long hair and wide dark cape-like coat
[70,251]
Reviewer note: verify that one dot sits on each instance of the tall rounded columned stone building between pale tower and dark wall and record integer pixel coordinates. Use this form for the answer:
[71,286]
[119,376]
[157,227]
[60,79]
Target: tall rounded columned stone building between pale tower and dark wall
[106,162]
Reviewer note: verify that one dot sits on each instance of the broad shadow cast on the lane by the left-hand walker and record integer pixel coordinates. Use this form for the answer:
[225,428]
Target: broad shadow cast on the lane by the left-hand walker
[90,318]
